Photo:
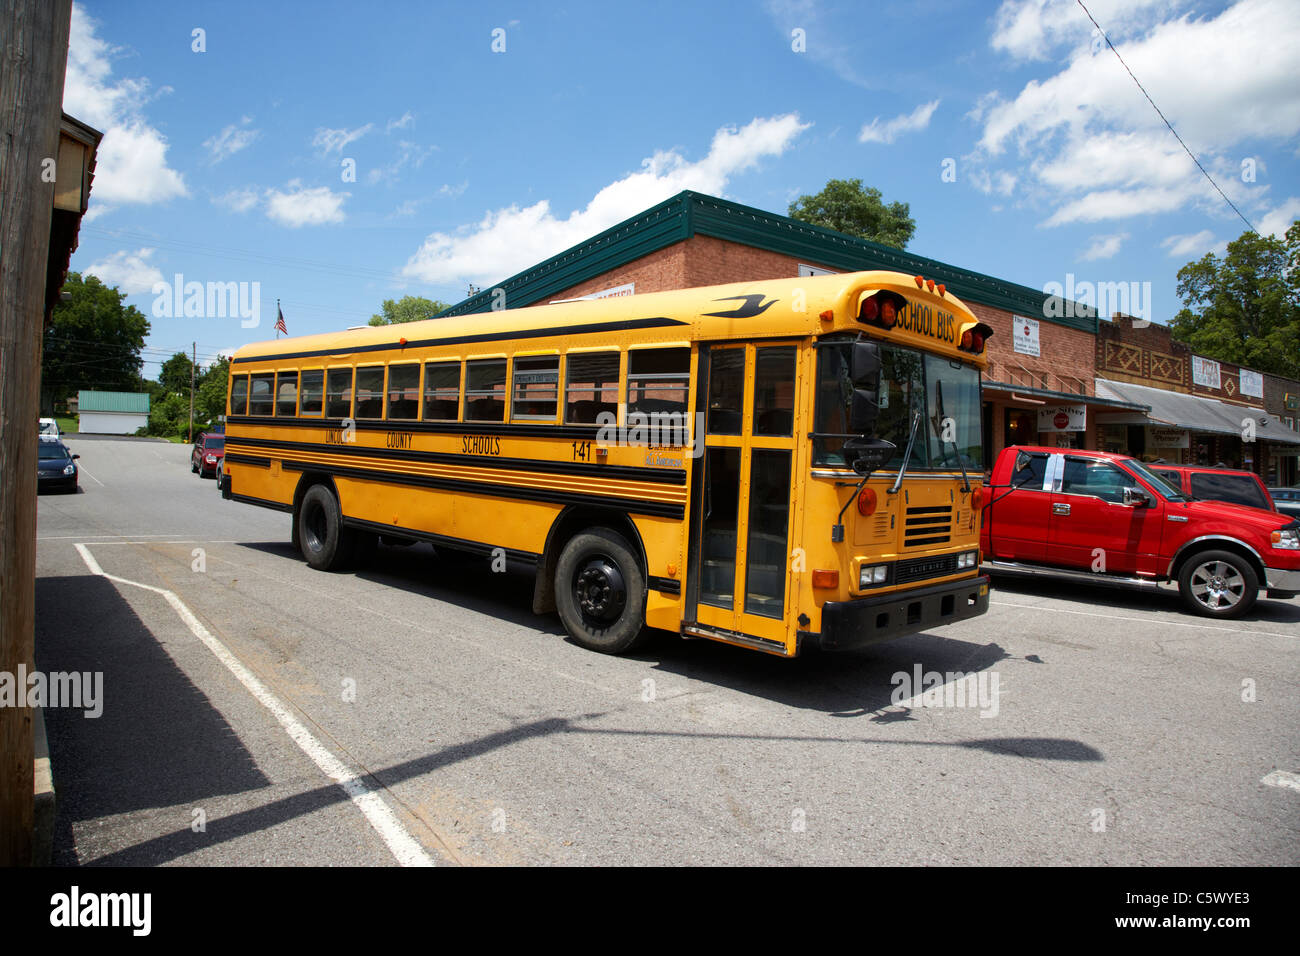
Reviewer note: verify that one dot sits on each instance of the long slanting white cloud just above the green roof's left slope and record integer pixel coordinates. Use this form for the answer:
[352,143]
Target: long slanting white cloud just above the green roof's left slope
[509,240]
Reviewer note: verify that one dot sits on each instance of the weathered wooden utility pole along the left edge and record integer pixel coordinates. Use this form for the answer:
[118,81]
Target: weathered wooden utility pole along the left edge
[33,60]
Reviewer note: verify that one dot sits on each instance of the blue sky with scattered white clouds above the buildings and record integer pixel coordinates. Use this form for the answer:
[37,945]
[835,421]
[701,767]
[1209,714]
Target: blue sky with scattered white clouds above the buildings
[343,154]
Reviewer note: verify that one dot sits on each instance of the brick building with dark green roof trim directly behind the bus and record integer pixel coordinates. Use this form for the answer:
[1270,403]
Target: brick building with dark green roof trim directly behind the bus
[1041,383]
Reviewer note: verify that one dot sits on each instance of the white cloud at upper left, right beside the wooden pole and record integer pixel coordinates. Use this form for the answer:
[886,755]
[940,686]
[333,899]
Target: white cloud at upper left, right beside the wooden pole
[132,165]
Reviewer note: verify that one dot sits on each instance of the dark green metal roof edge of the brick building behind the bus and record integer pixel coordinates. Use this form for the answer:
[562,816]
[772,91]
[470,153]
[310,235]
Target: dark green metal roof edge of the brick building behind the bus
[694,214]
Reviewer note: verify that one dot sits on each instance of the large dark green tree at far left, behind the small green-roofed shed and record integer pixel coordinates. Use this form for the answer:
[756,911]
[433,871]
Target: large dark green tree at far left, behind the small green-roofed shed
[93,343]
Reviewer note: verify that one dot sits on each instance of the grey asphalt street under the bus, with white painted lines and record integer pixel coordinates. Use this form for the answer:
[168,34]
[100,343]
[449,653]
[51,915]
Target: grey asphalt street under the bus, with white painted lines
[467,730]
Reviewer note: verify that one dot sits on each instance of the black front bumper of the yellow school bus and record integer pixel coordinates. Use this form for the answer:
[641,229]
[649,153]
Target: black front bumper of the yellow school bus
[848,625]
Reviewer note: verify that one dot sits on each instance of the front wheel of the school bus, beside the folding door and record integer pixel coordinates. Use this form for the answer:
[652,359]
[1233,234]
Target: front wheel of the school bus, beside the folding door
[601,592]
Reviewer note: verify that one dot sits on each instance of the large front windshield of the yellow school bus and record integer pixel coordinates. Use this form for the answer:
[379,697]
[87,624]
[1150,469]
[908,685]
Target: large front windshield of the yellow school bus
[944,392]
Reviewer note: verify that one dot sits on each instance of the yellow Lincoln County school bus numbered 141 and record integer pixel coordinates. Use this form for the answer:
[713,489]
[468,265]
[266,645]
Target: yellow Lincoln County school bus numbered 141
[777,465]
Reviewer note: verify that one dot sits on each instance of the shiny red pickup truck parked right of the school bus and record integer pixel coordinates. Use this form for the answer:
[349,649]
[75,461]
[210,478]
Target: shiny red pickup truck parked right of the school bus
[1100,517]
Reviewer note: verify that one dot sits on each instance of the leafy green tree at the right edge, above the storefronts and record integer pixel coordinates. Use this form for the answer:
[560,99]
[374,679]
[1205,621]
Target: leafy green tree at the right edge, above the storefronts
[1245,308]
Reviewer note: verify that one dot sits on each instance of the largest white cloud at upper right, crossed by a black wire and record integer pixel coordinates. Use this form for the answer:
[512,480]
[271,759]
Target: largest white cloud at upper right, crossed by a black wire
[1090,144]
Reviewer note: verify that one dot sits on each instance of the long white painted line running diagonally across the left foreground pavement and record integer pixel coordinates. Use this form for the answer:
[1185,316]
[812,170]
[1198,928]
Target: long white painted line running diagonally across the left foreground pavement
[405,849]
